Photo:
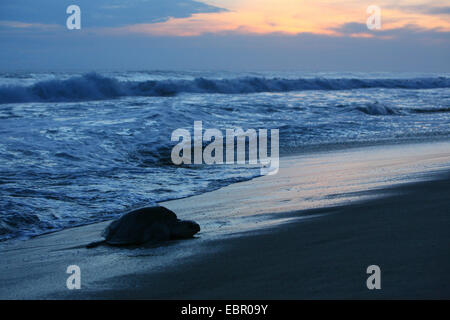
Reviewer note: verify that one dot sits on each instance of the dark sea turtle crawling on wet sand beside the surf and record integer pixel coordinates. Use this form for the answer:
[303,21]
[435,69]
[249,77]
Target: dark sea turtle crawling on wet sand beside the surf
[145,225]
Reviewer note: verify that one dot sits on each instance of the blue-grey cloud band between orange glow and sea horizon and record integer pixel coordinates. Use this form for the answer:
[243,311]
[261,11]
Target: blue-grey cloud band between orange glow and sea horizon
[412,51]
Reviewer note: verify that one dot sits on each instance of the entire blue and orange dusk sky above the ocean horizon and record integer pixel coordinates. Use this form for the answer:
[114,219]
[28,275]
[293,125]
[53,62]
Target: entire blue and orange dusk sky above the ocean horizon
[237,35]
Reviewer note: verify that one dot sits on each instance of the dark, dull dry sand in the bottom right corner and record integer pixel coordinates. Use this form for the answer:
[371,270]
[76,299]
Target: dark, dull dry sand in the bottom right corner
[325,258]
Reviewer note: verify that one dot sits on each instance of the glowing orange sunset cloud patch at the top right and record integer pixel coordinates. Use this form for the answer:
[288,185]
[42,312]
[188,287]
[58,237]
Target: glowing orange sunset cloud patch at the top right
[297,16]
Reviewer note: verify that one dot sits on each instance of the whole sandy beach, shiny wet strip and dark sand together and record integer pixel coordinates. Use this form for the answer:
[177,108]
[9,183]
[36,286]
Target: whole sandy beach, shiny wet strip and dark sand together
[323,255]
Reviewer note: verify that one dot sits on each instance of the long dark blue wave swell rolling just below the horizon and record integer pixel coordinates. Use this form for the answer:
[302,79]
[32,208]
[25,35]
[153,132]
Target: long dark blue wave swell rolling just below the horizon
[93,86]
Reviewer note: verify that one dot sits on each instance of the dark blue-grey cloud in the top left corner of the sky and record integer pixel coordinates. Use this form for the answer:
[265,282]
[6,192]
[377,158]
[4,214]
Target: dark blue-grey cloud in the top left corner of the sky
[102,13]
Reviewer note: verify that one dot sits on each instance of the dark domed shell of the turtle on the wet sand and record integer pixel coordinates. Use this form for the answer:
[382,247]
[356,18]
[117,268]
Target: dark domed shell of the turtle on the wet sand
[140,226]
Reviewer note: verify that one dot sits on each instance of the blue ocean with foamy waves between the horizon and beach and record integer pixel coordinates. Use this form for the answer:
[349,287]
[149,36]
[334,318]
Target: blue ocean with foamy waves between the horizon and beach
[78,148]
